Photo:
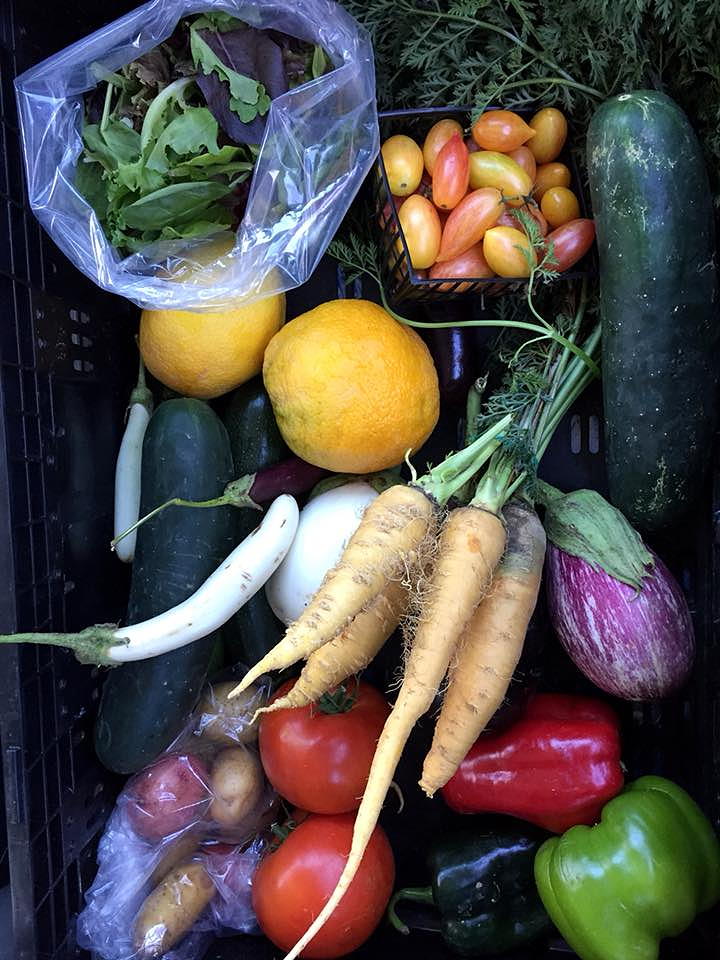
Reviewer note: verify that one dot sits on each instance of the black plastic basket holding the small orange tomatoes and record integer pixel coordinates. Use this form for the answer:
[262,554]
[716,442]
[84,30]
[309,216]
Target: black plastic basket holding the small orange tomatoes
[401,281]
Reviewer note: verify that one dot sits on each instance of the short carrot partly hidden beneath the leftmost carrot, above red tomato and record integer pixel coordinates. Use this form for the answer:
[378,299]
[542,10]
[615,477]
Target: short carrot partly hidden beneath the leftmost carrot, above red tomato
[348,653]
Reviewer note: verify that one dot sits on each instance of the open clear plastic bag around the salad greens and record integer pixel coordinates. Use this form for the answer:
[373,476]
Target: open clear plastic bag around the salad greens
[319,143]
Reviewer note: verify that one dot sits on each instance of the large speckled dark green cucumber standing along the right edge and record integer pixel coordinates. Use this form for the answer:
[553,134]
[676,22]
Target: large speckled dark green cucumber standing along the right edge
[658,287]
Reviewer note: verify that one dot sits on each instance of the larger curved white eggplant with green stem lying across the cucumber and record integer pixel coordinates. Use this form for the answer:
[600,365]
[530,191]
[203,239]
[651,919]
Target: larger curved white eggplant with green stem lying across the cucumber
[236,580]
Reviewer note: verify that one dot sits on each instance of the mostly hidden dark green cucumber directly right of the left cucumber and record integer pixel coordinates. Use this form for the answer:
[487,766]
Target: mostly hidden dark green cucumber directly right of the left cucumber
[256,443]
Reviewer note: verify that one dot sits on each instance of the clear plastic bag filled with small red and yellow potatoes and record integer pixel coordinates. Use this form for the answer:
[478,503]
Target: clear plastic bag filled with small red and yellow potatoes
[176,860]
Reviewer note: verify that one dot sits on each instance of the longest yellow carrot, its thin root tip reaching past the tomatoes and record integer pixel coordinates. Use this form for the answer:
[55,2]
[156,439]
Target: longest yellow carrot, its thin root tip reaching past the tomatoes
[470,546]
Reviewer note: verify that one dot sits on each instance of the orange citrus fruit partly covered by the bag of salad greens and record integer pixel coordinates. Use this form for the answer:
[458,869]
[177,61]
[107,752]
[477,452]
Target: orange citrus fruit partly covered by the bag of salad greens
[207,354]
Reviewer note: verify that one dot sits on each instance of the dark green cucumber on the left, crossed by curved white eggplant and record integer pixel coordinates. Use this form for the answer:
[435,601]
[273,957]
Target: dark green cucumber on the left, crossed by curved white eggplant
[144,705]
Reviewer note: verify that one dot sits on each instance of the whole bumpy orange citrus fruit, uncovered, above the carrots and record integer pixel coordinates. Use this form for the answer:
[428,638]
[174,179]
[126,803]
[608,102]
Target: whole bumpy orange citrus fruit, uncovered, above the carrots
[351,388]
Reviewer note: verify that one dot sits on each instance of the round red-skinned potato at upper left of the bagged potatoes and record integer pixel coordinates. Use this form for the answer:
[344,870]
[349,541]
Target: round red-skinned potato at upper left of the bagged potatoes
[168,796]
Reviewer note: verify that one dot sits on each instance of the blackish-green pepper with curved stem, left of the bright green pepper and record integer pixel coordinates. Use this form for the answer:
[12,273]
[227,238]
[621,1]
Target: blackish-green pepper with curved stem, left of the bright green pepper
[483,886]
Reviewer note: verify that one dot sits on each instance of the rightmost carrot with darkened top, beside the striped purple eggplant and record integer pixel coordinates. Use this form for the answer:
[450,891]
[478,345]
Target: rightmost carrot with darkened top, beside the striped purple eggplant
[489,650]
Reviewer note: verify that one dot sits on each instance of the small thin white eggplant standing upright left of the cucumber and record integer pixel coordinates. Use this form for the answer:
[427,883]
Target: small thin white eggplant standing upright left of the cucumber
[128,468]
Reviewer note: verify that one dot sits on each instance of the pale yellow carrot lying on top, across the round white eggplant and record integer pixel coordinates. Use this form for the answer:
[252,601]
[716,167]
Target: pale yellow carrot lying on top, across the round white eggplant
[387,541]
